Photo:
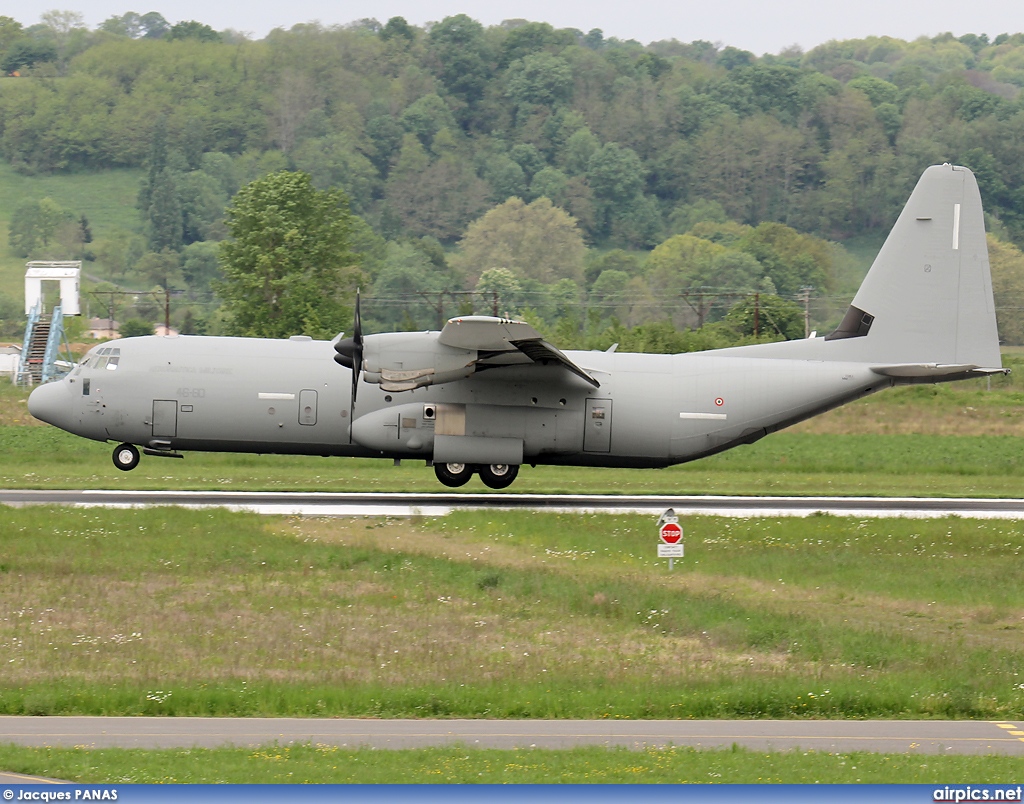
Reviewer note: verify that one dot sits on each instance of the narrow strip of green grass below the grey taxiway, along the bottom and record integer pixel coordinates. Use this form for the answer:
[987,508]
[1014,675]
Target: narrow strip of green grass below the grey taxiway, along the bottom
[324,765]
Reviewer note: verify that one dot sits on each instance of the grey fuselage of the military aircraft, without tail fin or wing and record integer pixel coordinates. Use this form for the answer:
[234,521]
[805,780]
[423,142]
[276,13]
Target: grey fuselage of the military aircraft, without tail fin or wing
[289,397]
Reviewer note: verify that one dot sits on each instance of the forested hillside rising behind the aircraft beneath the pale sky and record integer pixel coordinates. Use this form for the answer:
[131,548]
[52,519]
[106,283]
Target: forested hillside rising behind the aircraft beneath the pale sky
[591,185]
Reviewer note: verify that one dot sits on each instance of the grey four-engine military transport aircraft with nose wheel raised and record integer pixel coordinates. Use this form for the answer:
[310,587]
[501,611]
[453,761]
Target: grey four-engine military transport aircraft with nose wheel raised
[486,395]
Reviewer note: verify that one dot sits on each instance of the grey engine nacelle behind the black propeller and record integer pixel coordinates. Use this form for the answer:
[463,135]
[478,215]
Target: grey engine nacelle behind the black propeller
[403,361]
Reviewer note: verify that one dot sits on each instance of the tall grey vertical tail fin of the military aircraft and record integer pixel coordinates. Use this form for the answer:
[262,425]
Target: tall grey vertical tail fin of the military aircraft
[928,298]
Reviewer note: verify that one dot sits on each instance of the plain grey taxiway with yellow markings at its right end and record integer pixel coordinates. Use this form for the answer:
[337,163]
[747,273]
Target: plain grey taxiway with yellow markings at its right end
[922,737]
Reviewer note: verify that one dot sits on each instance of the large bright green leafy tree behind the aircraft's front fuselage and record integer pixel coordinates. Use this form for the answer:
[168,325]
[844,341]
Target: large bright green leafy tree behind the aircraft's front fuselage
[288,270]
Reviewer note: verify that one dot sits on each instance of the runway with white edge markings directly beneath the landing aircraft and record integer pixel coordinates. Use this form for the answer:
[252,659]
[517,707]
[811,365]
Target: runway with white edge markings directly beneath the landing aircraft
[389,504]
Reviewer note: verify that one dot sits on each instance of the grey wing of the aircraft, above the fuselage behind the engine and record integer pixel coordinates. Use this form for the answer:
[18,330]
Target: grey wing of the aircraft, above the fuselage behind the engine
[496,340]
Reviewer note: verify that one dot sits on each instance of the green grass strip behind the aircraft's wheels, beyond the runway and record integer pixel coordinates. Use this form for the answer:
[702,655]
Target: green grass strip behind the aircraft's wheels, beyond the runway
[788,463]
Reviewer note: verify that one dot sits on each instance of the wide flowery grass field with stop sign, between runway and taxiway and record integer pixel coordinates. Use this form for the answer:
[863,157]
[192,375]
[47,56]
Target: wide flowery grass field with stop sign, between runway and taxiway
[166,612]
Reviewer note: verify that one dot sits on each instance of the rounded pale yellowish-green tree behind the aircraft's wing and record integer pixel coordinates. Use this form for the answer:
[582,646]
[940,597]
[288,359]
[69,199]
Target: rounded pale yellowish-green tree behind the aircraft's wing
[535,241]
